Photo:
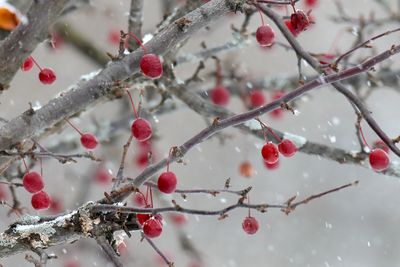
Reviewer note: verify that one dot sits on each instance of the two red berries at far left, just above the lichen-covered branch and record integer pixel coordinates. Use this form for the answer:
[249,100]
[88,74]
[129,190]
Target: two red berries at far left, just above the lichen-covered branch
[33,183]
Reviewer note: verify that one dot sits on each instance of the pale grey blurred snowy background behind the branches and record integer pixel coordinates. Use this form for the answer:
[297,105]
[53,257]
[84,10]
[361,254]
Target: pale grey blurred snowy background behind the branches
[355,227]
